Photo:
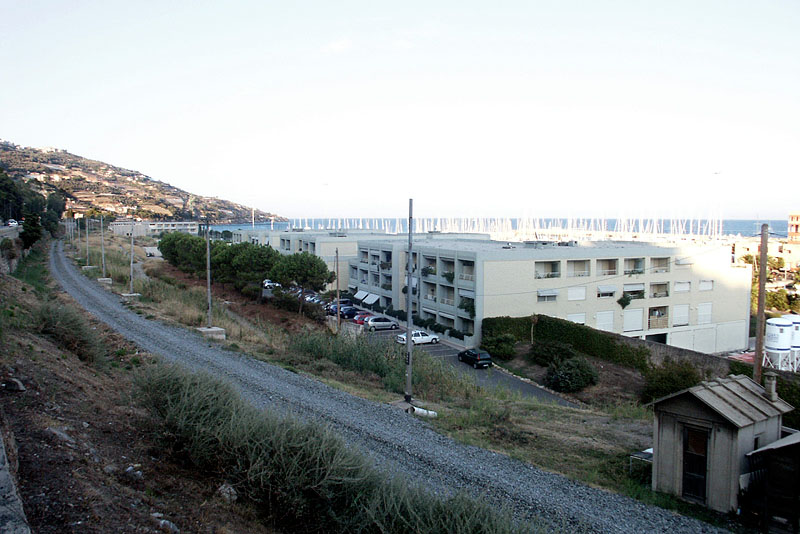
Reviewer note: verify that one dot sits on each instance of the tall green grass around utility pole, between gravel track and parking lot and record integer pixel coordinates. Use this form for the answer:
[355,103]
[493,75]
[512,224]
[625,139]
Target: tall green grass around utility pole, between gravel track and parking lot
[432,378]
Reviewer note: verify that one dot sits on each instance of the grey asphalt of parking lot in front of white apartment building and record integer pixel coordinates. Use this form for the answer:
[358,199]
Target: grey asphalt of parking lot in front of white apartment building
[491,377]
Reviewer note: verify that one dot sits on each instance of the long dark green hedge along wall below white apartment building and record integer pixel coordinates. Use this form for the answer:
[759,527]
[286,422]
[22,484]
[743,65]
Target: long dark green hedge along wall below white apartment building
[589,341]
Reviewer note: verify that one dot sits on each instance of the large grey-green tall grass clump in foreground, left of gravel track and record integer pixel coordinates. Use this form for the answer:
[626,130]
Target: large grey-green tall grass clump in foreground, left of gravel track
[300,475]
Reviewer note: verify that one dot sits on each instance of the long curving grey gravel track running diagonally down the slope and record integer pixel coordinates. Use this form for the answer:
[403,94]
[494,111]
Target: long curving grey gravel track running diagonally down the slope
[399,443]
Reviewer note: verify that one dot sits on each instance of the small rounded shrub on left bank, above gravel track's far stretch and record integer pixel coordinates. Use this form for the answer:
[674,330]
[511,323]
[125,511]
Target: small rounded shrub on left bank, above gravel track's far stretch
[69,330]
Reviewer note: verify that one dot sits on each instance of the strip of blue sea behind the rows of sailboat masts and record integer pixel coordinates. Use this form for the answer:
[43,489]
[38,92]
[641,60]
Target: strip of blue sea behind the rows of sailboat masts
[731,227]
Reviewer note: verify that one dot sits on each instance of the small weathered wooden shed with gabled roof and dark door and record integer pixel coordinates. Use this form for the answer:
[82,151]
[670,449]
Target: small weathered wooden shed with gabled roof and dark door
[701,437]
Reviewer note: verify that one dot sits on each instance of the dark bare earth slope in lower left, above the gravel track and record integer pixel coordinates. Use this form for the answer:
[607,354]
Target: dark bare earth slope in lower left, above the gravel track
[75,431]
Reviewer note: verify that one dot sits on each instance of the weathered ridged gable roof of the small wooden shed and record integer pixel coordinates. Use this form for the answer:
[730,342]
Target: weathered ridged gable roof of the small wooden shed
[737,398]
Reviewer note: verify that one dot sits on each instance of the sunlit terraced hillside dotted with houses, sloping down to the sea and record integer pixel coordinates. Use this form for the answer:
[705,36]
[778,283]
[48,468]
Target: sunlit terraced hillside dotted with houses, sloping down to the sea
[88,184]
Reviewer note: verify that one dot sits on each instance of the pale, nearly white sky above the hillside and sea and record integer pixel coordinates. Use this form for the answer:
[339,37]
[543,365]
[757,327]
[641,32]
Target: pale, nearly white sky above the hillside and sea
[347,109]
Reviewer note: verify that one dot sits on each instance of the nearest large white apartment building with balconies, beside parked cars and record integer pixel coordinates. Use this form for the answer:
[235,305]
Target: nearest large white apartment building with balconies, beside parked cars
[690,297]
